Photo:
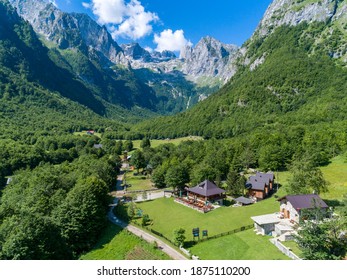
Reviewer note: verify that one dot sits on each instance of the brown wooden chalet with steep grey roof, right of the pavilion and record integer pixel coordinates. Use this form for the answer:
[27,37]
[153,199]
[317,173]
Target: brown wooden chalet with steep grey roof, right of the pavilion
[260,185]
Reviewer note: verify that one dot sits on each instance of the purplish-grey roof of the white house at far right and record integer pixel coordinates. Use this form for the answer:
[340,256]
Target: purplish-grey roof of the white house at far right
[307,201]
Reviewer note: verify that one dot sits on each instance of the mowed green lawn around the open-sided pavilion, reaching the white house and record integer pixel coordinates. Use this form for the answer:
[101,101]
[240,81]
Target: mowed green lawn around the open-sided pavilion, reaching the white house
[168,216]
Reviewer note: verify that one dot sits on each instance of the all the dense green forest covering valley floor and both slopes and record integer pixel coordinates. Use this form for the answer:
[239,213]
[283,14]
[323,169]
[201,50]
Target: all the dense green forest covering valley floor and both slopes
[287,112]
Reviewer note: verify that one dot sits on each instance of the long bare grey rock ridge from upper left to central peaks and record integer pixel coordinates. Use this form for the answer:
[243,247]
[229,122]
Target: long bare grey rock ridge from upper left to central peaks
[209,58]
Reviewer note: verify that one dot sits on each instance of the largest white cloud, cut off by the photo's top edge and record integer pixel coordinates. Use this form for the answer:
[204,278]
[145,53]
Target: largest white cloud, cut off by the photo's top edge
[124,19]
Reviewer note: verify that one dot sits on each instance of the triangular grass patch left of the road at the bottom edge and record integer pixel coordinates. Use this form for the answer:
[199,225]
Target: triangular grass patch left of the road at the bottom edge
[118,244]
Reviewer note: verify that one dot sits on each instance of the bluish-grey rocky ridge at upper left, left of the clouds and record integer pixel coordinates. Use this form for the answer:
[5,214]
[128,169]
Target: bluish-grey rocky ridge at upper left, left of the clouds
[67,30]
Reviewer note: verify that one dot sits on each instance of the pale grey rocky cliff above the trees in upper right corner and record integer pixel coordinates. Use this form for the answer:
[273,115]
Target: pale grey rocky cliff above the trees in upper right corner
[329,37]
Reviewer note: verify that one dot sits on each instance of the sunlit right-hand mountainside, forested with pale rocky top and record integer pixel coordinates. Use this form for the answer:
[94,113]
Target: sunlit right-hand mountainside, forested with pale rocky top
[287,77]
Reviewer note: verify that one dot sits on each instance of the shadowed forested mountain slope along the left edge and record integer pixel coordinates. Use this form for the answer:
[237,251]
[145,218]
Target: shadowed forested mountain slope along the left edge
[37,95]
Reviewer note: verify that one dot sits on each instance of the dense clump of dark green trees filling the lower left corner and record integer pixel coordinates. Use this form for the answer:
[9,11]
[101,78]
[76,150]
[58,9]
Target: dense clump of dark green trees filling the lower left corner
[55,212]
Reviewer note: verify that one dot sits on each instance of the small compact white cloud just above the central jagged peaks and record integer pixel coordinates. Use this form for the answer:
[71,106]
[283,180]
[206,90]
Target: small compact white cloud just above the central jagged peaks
[171,41]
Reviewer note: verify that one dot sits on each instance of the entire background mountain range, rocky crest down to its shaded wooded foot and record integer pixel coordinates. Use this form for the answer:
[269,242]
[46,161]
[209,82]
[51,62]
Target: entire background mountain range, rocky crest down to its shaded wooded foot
[128,75]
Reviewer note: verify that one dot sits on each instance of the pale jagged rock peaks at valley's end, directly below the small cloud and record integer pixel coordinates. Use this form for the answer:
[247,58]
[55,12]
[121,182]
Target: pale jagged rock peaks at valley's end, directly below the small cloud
[210,58]
